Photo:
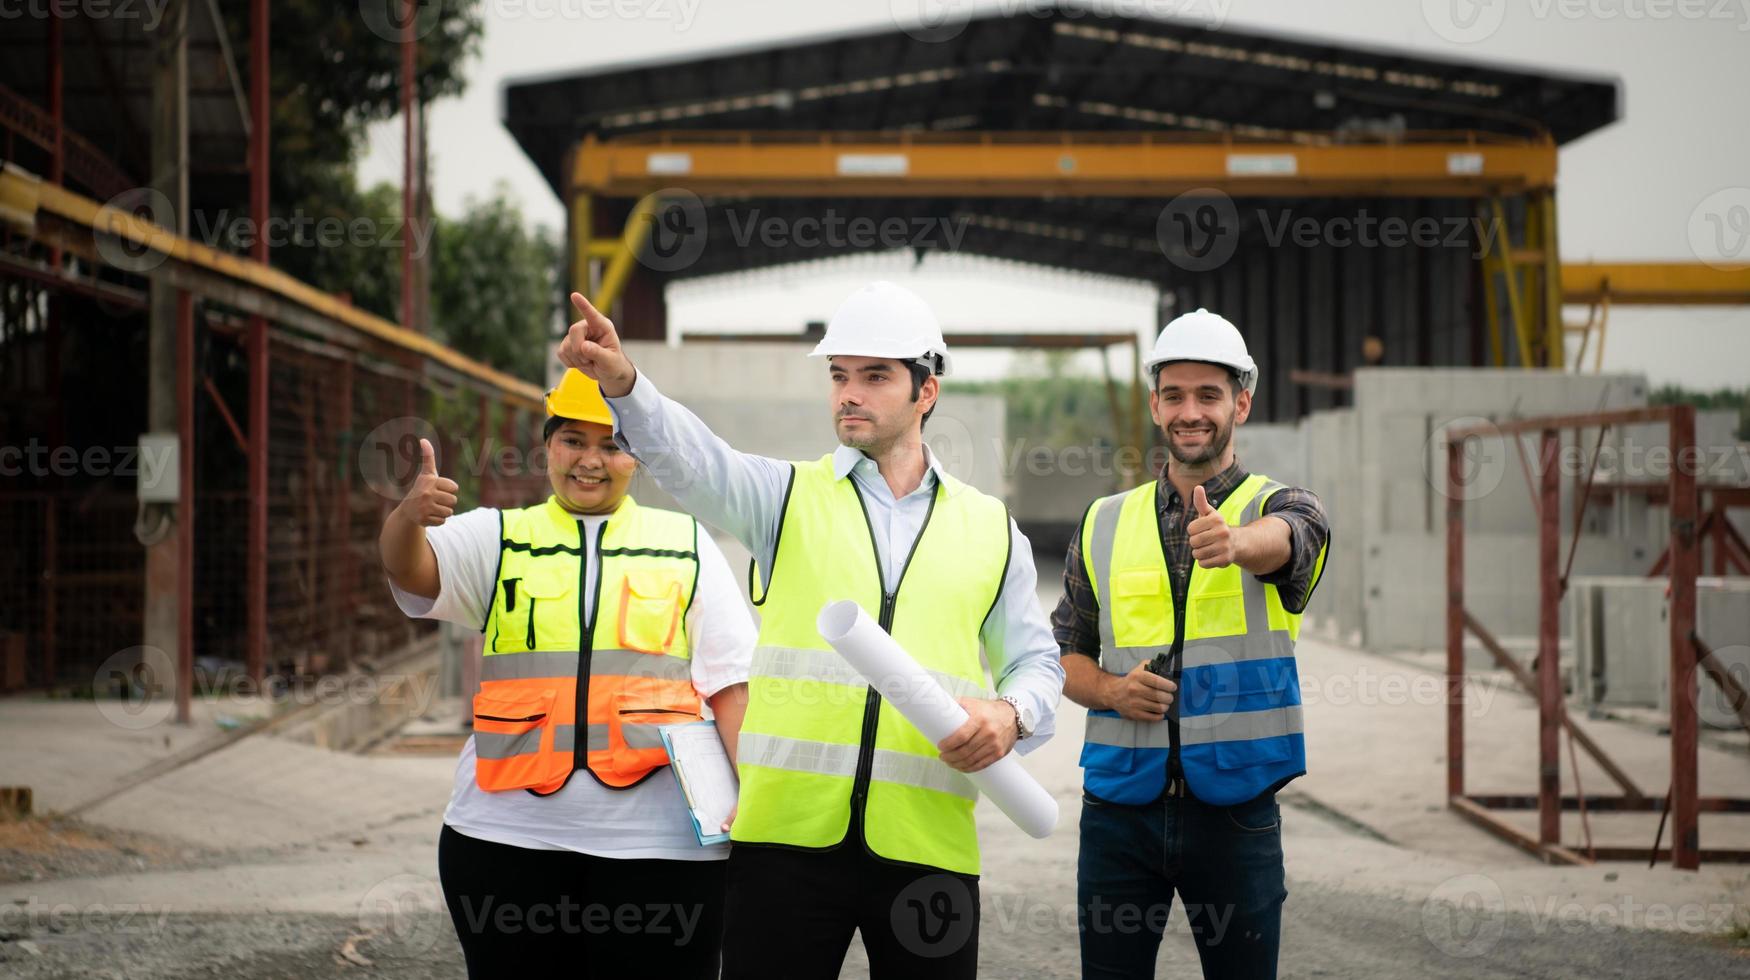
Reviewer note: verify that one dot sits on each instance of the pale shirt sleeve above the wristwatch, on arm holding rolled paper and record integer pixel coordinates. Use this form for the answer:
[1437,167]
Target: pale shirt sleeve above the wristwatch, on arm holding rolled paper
[1021,648]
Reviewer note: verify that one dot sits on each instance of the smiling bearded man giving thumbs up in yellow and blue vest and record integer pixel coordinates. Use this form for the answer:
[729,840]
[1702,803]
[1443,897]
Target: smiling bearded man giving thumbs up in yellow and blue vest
[1179,624]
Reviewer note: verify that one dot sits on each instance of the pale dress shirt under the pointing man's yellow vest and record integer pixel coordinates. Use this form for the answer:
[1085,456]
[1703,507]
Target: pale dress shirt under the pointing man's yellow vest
[745,496]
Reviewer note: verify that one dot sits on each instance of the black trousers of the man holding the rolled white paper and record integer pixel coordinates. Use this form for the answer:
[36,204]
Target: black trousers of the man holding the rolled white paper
[792,914]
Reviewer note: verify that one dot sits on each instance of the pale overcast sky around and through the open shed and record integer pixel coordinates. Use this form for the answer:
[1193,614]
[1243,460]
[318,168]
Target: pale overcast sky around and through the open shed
[1669,183]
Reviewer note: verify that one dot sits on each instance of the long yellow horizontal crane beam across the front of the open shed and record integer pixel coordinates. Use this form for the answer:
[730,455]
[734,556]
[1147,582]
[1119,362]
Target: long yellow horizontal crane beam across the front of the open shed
[1028,165]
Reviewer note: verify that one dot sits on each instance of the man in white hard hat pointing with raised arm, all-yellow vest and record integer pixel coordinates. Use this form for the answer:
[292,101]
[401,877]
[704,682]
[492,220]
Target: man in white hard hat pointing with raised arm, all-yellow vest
[850,820]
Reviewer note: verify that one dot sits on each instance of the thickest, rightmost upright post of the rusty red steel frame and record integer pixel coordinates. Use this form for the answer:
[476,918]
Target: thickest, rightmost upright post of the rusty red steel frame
[1686,563]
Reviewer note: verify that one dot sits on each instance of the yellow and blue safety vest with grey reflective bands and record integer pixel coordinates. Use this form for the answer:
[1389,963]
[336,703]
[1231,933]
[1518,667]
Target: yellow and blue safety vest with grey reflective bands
[1240,690]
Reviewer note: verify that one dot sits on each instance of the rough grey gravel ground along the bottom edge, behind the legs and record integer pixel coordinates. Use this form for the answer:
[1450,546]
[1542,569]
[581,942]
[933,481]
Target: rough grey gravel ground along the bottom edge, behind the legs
[1327,934]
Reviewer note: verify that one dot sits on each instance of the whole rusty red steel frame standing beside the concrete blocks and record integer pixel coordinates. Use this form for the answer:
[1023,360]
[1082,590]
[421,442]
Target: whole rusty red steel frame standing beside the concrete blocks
[1683,799]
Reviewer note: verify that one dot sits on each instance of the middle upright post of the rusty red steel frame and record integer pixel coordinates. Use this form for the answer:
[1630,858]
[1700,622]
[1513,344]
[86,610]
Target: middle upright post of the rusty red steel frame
[1550,640]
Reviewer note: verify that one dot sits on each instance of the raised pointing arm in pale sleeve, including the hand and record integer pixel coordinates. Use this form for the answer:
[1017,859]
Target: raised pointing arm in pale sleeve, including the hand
[720,486]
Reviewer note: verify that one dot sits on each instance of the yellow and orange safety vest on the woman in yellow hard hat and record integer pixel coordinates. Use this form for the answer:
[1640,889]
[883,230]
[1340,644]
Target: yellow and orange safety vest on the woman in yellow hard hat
[624,675]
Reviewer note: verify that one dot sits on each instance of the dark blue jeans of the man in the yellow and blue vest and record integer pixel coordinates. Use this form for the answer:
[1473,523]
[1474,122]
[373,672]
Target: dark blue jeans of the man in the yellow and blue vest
[1224,862]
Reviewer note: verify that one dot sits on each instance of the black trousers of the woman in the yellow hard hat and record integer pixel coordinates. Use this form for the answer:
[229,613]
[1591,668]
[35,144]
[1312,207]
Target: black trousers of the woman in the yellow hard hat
[519,909]
